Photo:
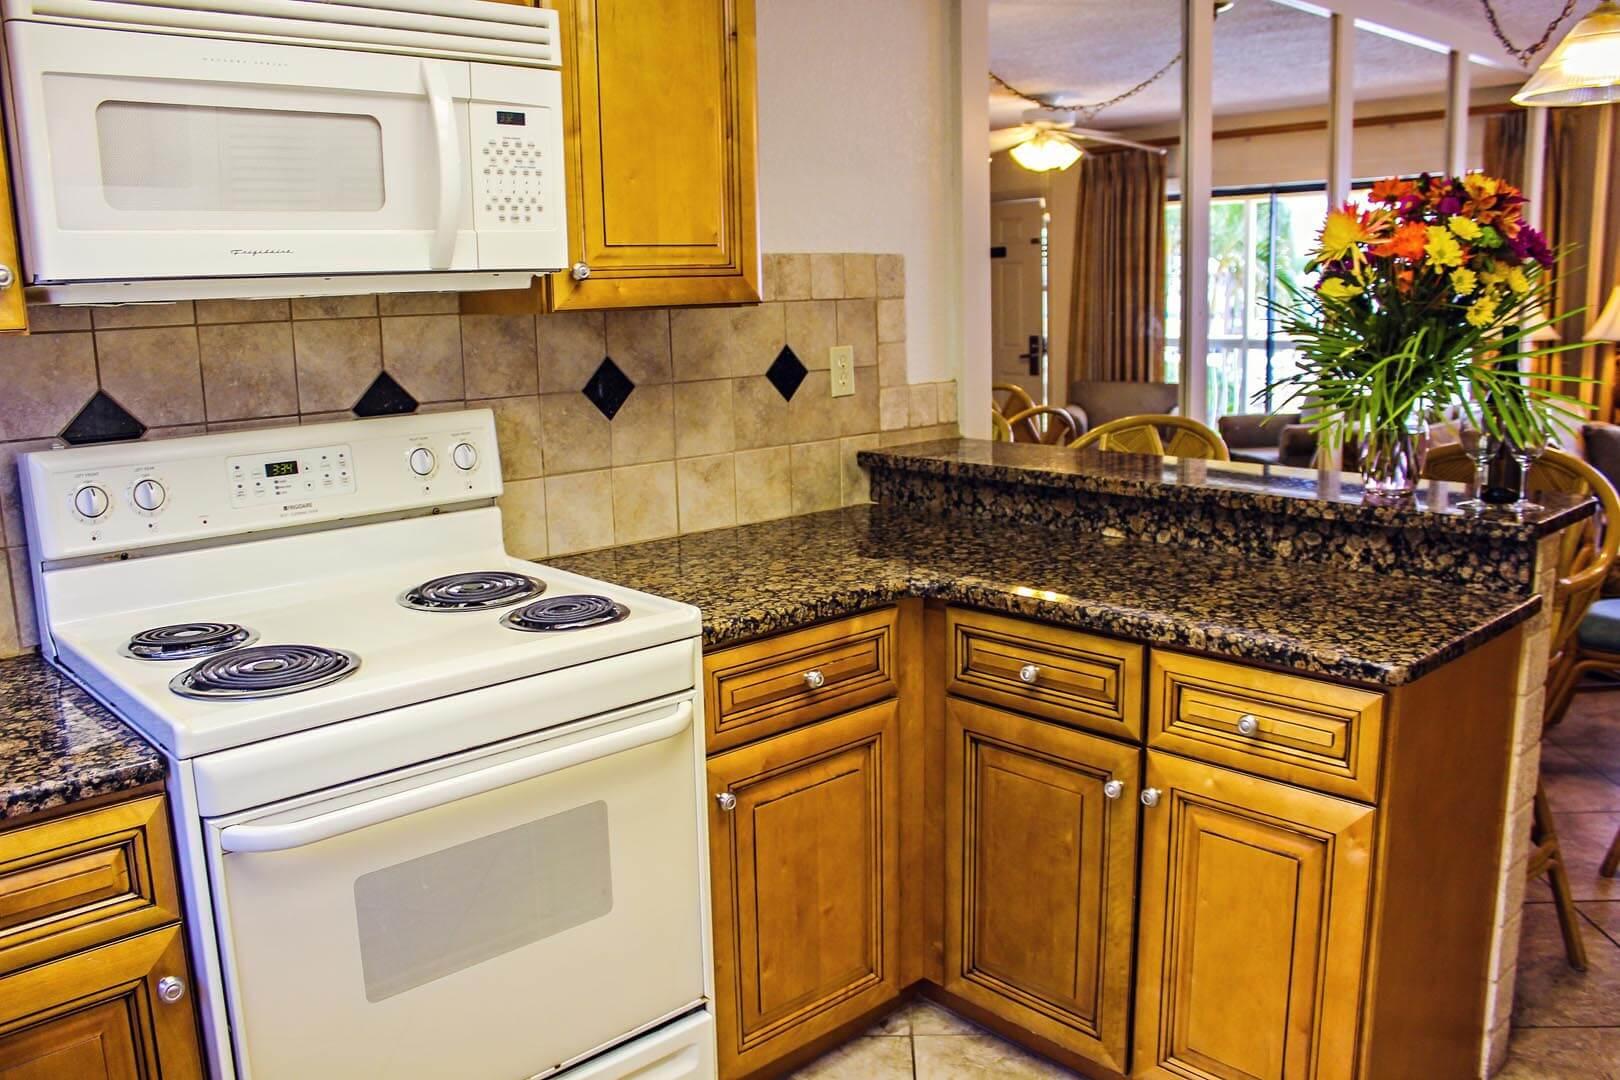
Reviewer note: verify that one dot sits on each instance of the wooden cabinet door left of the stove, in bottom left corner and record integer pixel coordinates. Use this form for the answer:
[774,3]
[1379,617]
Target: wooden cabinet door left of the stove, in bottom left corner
[100,1016]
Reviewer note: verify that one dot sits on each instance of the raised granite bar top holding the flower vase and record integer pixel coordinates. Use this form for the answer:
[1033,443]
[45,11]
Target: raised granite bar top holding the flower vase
[1300,493]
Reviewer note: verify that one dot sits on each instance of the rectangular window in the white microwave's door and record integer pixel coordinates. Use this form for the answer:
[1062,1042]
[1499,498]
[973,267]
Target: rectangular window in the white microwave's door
[200,158]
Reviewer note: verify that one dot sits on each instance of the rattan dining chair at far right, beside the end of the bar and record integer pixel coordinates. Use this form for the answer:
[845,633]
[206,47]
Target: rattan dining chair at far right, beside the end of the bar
[1582,639]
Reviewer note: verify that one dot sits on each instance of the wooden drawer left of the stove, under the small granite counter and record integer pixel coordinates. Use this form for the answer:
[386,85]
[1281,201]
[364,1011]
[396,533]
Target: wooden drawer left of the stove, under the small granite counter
[79,882]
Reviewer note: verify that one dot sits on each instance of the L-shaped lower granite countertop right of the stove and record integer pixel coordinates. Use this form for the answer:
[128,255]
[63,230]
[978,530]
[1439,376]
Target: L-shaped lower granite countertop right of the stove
[778,576]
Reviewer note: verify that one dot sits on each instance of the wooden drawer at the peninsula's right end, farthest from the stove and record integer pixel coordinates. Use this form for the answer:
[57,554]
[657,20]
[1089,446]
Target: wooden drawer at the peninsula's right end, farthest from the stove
[1303,731]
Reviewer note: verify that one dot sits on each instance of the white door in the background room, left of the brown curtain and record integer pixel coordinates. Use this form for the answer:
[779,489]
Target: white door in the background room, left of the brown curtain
[1018,296]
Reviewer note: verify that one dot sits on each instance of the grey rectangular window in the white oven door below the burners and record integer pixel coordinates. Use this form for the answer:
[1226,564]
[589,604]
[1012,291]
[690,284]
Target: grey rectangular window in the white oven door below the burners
[445,912]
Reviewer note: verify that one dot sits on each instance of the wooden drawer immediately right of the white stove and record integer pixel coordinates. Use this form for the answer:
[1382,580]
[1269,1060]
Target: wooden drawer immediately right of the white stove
[782,682]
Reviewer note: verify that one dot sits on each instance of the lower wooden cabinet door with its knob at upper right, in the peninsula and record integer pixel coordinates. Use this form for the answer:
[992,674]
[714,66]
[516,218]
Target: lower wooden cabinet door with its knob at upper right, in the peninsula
[1039,874]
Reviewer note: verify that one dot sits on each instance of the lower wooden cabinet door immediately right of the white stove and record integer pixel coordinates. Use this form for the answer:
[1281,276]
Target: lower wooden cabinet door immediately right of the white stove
[804,854]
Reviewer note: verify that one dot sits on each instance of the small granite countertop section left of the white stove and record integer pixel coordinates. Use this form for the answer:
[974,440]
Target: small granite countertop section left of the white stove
[59,746]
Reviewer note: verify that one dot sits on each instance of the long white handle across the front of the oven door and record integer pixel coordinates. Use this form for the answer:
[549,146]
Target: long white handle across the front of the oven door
[289,835]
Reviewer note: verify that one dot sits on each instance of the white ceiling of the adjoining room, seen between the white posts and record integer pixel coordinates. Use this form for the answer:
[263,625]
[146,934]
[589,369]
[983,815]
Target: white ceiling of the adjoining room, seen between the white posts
[1268,57]
